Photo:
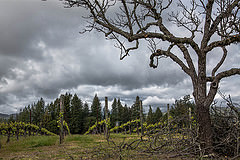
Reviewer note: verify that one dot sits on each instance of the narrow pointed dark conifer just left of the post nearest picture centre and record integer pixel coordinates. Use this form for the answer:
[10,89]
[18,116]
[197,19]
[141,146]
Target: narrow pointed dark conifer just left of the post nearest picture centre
[96,108]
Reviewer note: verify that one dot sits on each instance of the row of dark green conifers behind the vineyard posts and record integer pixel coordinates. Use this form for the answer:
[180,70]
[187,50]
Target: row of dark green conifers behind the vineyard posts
[79,116]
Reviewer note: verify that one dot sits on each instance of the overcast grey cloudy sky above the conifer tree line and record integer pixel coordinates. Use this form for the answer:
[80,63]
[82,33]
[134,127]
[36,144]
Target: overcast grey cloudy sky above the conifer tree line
[42,54]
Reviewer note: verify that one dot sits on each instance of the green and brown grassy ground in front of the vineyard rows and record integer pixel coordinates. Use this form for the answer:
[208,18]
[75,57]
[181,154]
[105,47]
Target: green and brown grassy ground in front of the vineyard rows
[74,147]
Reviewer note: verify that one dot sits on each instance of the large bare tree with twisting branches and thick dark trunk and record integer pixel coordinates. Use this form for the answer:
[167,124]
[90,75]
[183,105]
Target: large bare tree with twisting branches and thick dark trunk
[210,25]
